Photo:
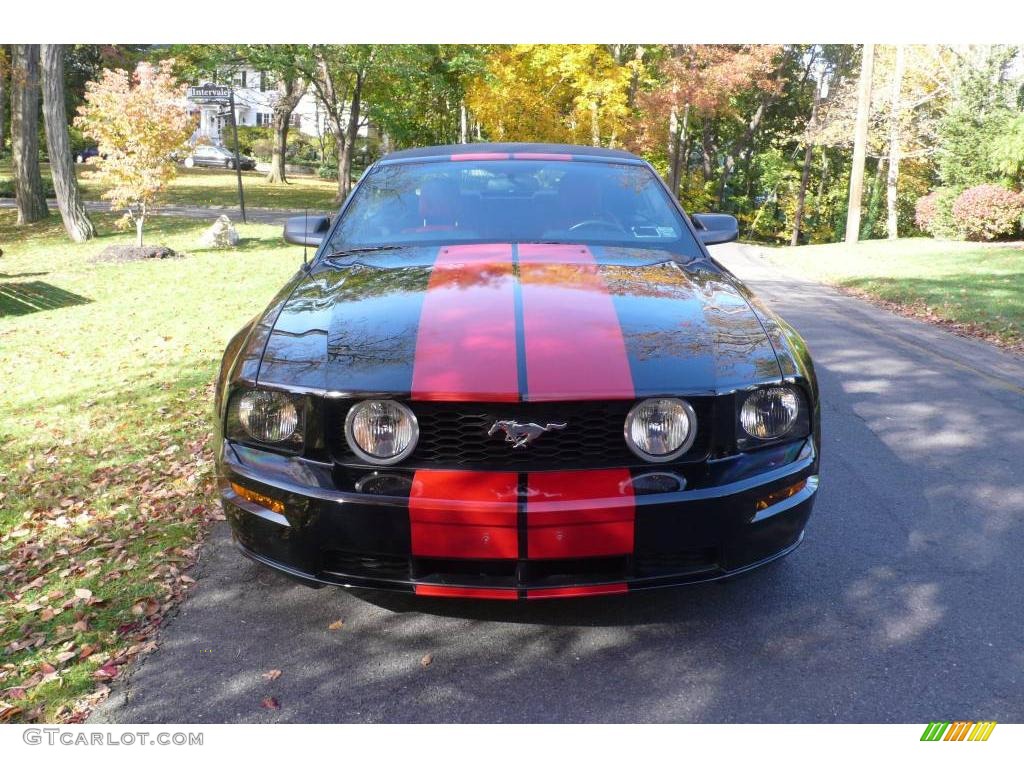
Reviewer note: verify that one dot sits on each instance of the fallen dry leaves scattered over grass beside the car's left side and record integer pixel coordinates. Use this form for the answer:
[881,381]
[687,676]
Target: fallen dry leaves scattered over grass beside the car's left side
[109,536]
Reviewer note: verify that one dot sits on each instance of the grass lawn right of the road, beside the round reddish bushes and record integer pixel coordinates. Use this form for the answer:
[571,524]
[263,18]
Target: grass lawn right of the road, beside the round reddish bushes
[977,288]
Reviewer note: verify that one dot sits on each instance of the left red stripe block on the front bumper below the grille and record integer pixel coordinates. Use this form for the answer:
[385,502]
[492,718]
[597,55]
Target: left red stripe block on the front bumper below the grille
[464,515]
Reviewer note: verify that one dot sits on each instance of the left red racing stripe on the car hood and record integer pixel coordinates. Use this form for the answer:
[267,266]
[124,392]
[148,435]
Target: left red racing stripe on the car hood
[466,344]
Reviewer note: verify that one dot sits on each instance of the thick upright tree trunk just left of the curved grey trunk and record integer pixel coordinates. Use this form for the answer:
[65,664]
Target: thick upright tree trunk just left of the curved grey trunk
[25,135]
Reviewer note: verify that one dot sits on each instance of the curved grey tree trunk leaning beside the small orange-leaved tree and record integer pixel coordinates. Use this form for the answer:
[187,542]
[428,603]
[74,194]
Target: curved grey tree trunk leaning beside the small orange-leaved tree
[76,221]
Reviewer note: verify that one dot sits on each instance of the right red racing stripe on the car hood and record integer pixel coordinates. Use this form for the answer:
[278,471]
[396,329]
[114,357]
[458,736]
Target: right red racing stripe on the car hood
[574,342]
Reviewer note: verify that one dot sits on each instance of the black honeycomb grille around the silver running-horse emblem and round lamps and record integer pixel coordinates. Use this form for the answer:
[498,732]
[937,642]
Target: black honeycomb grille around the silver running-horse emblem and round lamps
[455,437]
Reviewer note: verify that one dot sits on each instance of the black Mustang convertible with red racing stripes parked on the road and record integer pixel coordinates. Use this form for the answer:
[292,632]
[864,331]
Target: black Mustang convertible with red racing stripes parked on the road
[515,371]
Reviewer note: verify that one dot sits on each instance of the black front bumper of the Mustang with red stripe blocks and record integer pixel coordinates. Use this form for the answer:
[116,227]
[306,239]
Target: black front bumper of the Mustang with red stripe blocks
[513,536]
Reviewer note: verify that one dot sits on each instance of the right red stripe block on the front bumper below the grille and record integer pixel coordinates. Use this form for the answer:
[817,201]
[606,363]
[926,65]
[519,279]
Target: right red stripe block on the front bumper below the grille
[587,514]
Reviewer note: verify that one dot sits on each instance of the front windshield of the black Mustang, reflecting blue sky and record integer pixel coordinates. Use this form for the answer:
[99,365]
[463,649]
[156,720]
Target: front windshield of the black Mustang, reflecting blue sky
[508,201]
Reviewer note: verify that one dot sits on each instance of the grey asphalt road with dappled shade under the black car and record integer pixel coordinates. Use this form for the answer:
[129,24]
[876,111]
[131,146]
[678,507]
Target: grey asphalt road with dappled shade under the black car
[903,606]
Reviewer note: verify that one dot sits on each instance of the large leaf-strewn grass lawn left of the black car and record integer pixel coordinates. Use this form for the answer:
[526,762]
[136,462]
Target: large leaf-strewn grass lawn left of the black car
[106,479]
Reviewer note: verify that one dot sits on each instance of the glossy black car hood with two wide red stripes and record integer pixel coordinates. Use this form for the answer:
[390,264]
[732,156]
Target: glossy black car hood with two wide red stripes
[511,322]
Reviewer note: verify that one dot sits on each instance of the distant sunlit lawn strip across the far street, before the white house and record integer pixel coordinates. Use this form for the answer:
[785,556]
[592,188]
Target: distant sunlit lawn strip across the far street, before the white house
[201,187]
